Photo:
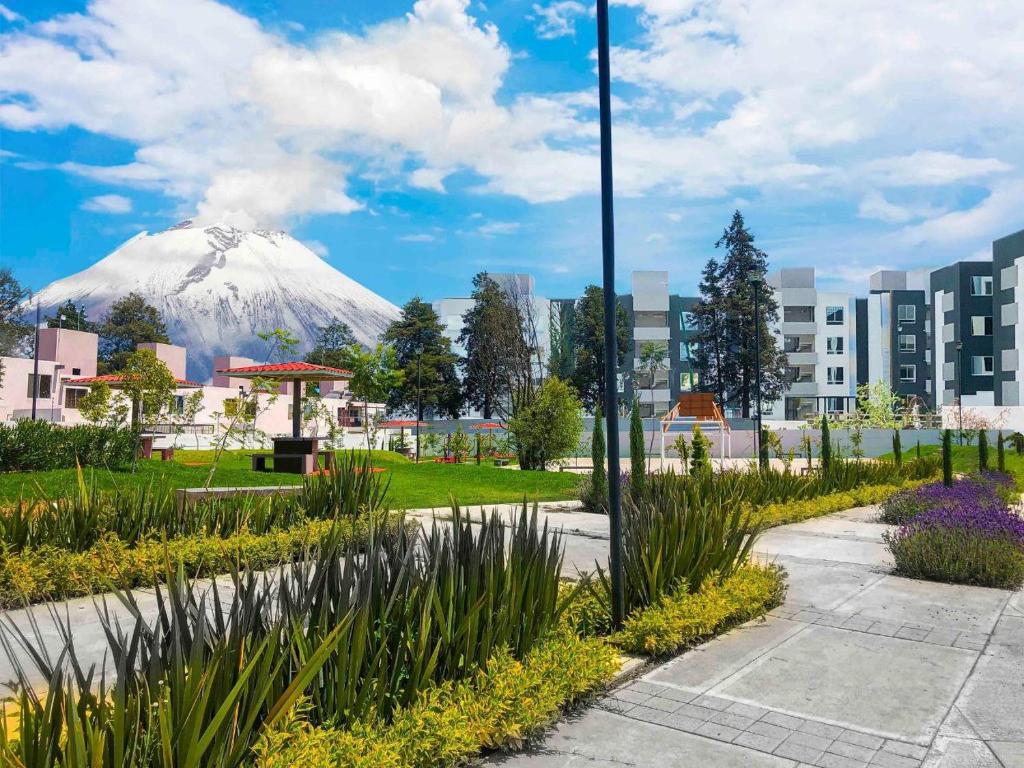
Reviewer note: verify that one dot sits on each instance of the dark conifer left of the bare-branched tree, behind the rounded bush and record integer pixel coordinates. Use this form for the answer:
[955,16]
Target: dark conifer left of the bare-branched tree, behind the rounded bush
[496,350]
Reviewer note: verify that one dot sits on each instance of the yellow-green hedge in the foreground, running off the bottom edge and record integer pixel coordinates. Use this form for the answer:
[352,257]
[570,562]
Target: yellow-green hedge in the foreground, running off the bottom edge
[499,708]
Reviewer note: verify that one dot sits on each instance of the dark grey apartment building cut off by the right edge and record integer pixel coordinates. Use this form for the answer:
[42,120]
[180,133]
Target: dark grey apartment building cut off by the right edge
[1008,314]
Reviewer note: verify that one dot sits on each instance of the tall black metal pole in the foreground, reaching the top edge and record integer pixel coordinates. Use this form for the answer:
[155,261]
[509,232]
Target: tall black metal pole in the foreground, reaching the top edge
[611,346]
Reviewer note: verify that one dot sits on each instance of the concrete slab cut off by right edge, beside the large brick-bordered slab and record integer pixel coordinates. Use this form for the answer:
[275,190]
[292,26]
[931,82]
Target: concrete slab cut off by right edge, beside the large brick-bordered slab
[994,699]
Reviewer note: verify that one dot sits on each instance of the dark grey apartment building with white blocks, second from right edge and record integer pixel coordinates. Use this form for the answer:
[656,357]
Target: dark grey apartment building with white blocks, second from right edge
[964,367]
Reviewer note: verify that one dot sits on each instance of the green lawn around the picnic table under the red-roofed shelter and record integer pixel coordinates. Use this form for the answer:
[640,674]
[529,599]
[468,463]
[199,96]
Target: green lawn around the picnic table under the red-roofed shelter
[413,486]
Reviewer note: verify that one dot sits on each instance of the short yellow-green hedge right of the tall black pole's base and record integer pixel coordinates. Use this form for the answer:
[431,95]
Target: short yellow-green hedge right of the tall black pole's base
[684,619]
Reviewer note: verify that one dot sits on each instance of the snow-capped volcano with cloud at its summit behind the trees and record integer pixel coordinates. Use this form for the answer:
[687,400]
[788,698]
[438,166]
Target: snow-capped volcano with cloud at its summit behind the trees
[218,287]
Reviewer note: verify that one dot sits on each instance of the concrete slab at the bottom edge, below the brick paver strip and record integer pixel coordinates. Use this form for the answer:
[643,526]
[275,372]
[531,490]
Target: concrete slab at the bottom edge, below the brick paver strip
[599,740]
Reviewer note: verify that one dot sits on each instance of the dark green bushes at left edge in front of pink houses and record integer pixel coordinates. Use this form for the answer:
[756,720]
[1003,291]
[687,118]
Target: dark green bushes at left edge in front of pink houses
[32,446]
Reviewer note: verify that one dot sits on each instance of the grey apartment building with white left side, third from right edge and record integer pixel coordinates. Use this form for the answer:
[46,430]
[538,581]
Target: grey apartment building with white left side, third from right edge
[894,324]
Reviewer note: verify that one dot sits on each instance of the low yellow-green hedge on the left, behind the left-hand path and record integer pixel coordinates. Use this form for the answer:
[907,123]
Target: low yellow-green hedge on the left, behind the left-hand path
[50,573]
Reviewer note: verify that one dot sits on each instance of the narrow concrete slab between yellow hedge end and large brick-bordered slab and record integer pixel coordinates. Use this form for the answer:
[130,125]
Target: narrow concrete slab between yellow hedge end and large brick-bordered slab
[704,667]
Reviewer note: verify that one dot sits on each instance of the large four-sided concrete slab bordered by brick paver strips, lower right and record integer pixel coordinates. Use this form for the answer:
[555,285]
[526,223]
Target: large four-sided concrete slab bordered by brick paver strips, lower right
[904,689]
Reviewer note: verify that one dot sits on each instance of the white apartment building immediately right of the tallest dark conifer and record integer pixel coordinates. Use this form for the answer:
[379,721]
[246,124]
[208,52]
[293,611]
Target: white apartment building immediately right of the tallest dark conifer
[818,331]
